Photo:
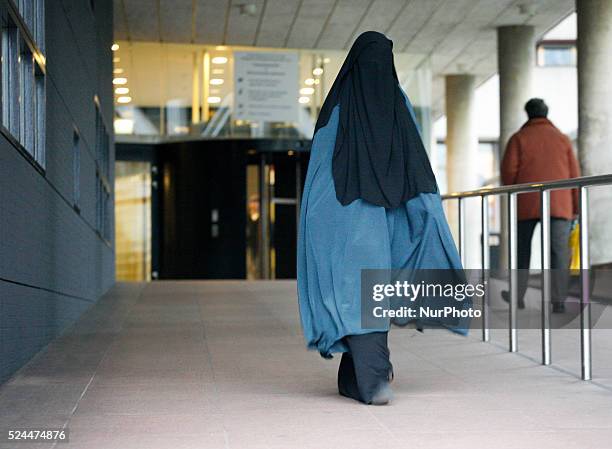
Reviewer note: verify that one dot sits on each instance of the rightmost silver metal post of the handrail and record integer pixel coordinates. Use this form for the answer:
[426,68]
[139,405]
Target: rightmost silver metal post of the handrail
[585,295]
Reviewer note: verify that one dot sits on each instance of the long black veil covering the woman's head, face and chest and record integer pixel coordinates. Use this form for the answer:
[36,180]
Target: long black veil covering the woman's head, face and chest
[379,156]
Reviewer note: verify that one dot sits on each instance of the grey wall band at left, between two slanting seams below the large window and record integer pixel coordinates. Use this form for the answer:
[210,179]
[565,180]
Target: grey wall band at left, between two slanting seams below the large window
[51,246]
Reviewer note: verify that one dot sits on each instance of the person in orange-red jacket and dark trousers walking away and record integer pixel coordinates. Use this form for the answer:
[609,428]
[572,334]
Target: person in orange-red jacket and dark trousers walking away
[539,152]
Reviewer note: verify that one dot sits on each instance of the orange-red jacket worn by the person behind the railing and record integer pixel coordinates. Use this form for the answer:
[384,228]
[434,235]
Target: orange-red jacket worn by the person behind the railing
[539,152]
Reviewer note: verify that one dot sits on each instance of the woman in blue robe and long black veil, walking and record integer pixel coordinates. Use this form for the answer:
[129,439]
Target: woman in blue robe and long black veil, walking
[370,201]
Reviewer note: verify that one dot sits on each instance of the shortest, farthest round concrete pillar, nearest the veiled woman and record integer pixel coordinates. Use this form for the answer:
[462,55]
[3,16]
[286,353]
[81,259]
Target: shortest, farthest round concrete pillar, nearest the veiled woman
[462,155]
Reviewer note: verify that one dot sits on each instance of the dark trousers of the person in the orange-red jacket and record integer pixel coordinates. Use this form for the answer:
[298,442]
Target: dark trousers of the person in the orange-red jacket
[559,256]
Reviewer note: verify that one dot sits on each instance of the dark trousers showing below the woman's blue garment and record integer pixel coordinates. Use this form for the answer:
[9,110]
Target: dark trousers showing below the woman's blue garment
[365,367]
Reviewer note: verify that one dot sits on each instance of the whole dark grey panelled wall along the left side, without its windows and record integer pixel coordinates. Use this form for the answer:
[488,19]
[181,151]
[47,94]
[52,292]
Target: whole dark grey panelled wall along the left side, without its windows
[53,262]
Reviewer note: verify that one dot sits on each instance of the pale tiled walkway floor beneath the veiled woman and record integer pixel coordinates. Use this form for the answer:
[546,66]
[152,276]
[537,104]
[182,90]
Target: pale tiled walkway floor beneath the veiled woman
[222,365]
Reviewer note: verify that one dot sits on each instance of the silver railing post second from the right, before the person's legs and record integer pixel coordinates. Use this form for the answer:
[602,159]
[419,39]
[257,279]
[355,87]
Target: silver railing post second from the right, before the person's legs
[545,238]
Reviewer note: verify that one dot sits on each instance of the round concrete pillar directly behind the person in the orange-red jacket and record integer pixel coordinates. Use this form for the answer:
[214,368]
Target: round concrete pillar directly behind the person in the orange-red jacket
[515,63]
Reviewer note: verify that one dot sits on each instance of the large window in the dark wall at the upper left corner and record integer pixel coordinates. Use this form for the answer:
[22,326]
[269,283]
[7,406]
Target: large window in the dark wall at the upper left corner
[23,76]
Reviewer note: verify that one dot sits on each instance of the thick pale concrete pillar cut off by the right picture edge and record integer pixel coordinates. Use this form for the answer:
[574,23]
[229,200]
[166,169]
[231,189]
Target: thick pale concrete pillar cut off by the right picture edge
[595,116]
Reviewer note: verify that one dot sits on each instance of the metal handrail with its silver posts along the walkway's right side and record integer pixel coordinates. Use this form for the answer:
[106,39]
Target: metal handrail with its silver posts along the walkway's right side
[544,189]
